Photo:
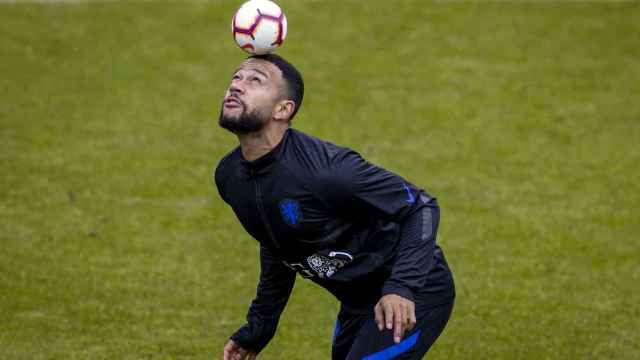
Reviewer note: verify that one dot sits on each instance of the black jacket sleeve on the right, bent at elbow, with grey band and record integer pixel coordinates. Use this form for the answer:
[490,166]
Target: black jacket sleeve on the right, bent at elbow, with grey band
[359,188]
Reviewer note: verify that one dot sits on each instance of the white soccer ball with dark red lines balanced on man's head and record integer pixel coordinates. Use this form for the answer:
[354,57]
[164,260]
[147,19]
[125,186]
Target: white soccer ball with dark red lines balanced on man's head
[259,26]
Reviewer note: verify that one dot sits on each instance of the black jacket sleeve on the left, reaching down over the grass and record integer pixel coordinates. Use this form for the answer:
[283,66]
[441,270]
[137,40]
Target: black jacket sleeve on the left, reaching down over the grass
[274,289]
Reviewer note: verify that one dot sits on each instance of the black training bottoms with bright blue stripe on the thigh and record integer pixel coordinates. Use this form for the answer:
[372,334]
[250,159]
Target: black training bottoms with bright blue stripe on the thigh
[356,336]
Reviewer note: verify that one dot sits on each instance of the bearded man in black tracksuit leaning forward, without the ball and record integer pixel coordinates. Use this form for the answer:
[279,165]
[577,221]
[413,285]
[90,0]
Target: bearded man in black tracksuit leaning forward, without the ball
[321,211]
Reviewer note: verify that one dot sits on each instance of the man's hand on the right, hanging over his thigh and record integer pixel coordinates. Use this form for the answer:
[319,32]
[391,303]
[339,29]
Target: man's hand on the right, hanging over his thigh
[396,313]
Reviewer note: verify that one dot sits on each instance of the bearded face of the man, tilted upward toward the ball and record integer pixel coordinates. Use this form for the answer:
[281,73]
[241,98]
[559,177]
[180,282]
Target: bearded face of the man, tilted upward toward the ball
[251,98]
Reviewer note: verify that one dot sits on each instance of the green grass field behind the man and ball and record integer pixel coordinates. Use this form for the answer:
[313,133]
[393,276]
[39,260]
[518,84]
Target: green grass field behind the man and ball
[523,118]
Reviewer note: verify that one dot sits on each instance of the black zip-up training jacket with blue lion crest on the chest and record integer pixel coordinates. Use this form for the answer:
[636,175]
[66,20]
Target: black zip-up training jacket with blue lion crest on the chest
[323,212]
